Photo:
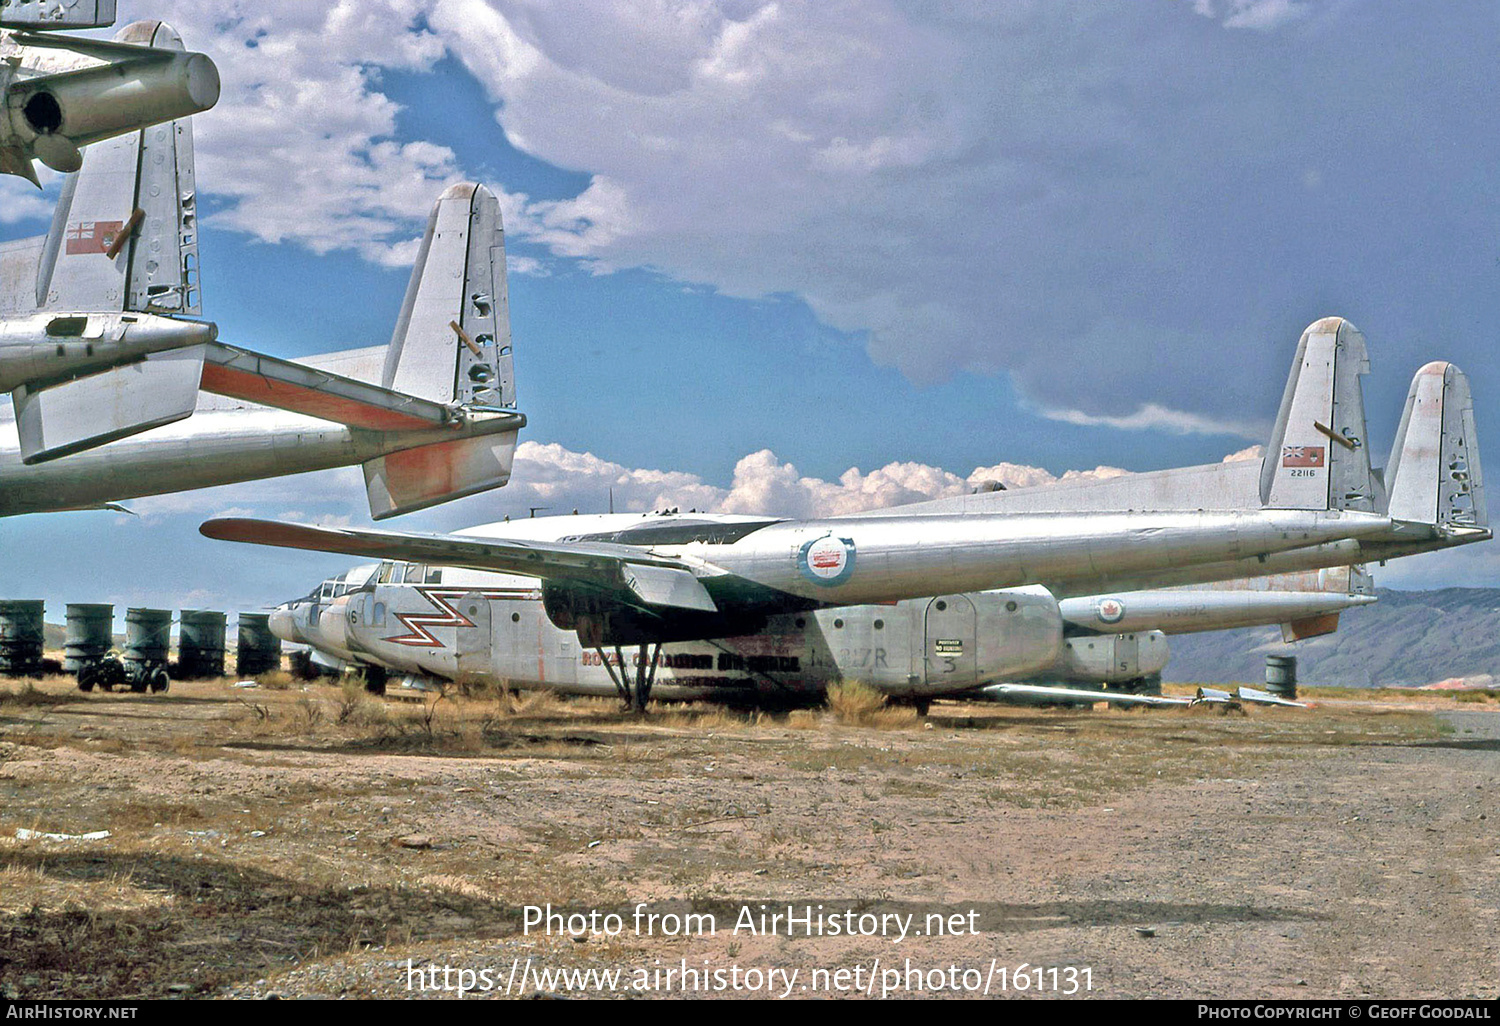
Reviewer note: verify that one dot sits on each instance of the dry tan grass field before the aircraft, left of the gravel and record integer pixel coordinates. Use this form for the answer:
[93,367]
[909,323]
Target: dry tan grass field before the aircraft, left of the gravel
[527,799]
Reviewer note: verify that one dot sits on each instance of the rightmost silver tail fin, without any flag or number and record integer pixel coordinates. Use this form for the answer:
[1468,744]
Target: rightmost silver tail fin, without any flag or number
[1435,473]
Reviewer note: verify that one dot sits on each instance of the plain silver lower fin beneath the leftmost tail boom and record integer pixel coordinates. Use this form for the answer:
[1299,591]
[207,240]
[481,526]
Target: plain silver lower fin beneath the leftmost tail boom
[122,401]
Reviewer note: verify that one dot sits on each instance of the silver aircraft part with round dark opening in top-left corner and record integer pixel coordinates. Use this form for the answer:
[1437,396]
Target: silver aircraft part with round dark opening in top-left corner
[62,94]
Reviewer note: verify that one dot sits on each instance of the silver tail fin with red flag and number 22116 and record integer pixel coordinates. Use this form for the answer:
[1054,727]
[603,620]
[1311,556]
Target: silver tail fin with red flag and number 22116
[1318,458]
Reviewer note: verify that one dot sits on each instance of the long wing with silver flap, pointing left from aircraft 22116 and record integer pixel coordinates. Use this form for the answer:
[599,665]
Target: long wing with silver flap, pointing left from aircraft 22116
[634,574]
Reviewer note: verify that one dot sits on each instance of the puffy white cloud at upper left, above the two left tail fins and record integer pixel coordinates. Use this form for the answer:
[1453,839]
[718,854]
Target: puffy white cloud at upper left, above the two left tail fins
[304,142]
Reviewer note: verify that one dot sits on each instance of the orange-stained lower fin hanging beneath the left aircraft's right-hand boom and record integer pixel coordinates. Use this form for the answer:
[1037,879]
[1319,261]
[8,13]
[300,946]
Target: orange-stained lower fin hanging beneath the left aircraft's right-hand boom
[415,479]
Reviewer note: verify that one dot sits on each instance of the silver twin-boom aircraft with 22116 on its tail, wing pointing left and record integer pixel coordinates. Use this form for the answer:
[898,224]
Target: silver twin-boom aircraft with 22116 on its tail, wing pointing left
[617,581]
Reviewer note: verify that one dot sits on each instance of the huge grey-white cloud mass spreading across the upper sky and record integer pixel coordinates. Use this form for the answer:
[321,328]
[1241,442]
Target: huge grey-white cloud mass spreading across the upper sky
[1090,199]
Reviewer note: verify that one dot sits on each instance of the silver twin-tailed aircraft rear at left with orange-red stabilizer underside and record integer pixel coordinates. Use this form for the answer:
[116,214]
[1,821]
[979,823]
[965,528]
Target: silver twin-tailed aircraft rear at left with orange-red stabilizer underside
[100,355]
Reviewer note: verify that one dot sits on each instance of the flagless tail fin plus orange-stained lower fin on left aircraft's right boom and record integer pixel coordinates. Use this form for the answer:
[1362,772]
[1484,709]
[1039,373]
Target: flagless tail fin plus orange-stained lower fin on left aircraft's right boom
[452,344]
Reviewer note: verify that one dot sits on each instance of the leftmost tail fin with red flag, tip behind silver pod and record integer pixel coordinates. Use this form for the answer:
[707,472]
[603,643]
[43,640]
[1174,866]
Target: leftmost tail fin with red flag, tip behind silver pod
[125,235]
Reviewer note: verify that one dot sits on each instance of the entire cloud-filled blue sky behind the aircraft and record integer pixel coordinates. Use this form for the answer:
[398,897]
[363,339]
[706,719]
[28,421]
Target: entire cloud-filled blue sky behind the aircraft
[856,235]
